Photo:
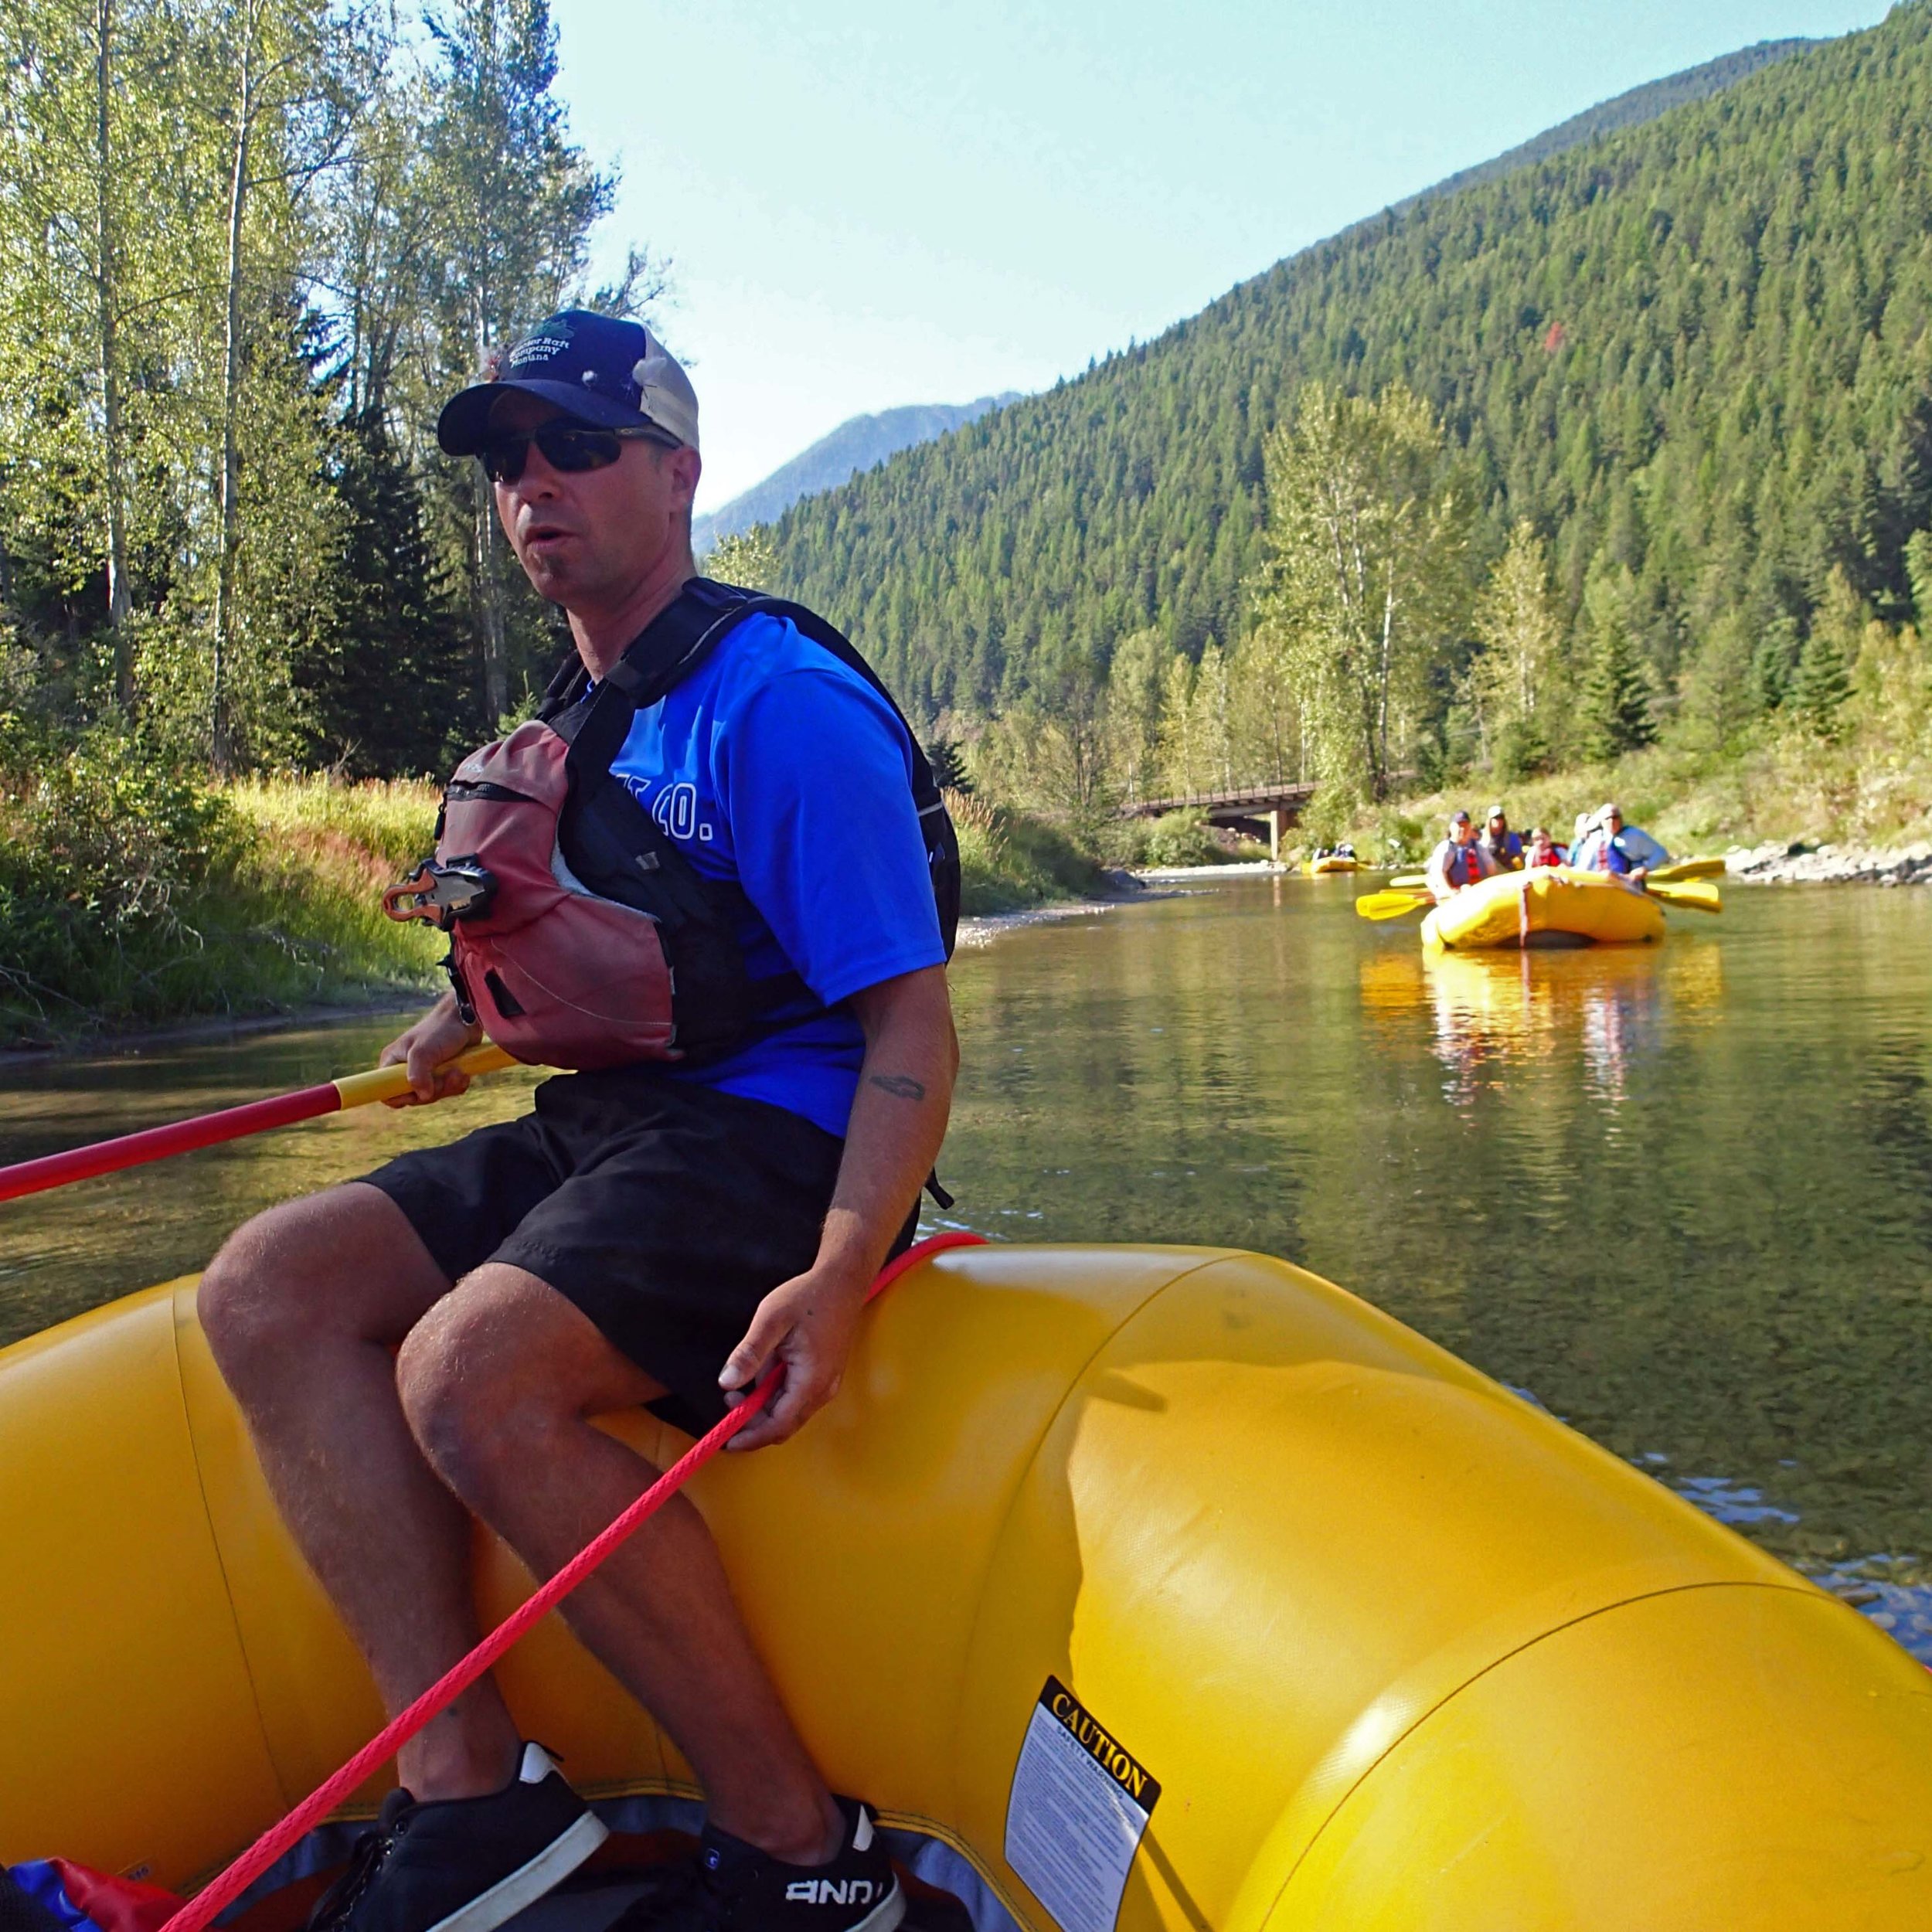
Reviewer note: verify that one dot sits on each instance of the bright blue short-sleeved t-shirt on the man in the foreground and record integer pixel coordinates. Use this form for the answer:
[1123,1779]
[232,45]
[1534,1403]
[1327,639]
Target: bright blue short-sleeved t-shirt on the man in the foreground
[781,768]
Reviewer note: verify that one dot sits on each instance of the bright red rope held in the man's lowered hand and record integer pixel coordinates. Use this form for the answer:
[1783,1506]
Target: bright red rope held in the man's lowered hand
[320,1804]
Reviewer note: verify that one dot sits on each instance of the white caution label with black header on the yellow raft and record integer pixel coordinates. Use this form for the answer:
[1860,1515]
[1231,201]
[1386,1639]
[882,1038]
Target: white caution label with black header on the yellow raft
[1079,1807]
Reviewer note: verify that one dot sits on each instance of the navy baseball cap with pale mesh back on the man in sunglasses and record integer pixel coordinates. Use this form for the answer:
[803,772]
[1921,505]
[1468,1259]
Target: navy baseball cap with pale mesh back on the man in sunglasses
[594,368]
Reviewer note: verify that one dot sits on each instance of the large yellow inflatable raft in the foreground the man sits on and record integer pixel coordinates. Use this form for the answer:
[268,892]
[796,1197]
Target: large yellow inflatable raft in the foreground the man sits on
[1139,1587]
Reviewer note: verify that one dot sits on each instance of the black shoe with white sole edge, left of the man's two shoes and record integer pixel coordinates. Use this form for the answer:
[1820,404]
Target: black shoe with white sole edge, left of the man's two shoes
[463,1865]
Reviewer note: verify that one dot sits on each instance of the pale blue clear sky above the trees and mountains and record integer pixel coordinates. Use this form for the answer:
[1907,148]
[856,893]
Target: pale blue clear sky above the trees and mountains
[872,204]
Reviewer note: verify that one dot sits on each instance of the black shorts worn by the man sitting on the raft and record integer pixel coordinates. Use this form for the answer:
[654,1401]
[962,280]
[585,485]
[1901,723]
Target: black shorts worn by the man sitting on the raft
[660,1208]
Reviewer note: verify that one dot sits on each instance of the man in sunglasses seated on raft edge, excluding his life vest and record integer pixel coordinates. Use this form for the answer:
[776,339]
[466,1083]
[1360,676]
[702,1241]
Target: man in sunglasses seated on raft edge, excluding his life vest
[434,1342]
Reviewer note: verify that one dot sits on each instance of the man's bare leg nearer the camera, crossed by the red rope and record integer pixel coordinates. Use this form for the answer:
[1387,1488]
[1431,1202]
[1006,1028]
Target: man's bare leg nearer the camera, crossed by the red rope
[499,1382]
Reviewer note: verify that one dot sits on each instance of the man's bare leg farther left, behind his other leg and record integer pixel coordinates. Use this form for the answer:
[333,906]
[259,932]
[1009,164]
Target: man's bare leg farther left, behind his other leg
[304,1309]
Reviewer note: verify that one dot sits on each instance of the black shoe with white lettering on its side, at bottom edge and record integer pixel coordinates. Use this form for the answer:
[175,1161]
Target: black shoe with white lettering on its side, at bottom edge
[739,1889]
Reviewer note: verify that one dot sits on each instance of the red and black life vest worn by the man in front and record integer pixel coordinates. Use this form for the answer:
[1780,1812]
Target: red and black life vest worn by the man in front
[581,934]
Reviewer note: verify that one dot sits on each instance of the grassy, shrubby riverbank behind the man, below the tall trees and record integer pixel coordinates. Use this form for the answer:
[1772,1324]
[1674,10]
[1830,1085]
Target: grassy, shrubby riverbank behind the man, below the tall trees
[134,897]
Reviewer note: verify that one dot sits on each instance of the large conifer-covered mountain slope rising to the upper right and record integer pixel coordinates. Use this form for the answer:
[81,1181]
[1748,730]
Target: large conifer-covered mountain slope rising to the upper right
[1697,351]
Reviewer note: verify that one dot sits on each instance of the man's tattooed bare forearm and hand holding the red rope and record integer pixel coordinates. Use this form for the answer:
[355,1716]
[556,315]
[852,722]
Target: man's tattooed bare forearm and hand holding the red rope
[899,1118]
